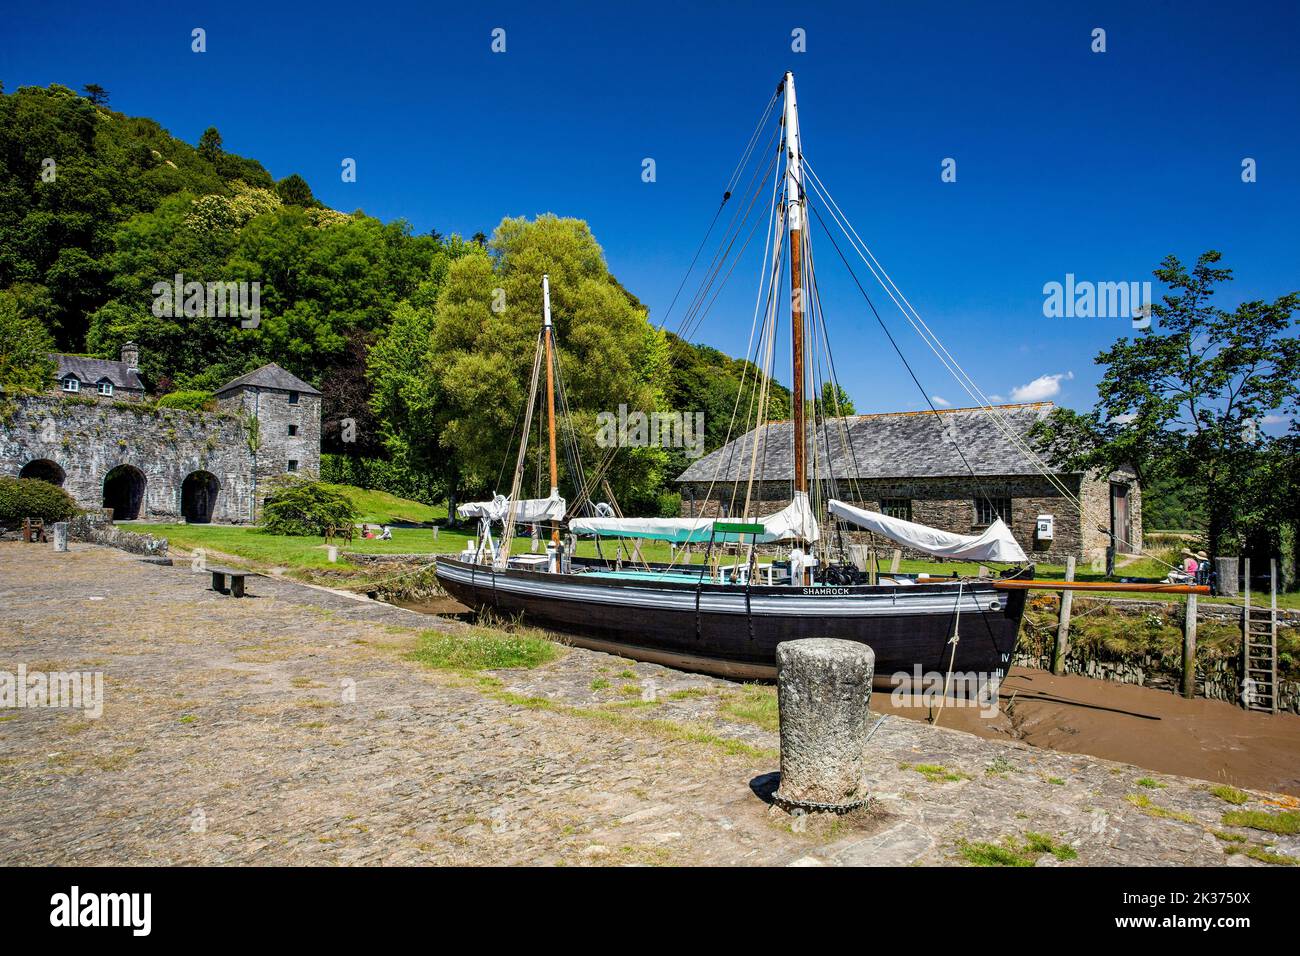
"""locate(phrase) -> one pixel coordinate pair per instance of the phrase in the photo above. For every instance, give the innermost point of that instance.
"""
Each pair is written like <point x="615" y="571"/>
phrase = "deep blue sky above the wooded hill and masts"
<point x="1068" y="162"/>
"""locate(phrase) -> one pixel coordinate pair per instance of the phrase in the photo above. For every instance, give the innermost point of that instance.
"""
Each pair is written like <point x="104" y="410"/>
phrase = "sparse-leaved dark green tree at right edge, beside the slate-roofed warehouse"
<point x="1185" y="399"/>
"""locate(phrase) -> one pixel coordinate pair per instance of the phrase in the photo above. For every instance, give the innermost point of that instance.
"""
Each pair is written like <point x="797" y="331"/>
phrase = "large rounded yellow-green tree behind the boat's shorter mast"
<point x="462" y="395"/>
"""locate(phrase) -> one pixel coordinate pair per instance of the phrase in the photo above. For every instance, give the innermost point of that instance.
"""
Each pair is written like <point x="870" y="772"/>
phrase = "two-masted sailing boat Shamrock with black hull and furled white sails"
<point x="729" y="620"/>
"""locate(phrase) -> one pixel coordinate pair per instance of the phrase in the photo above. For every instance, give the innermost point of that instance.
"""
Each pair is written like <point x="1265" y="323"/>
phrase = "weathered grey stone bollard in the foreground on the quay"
<point x="824" y="693"/>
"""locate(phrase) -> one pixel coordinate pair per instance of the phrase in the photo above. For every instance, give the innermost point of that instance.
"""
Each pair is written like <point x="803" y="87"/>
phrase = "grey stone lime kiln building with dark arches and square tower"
<point x="98" y="438"/>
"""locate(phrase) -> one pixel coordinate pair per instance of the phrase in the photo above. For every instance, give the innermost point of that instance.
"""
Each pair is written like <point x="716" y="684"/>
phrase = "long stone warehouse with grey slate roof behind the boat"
<point x="911" y="465"/>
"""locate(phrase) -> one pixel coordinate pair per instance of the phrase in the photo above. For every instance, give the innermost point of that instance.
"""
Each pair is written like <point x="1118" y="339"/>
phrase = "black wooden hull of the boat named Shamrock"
<point x="734" y="631"/>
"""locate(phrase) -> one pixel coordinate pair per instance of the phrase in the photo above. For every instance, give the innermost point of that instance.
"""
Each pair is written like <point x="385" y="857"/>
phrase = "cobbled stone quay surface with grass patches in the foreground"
<point x="291" y="728"/>
